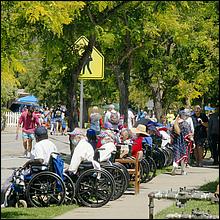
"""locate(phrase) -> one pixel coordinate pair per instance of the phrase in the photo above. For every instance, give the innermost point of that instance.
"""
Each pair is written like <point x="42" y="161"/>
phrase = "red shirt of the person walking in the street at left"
<point x="29" y="123"/>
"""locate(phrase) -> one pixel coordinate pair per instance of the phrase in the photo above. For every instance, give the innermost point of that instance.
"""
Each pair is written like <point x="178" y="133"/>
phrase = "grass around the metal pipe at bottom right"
<point x="204" y="206"/>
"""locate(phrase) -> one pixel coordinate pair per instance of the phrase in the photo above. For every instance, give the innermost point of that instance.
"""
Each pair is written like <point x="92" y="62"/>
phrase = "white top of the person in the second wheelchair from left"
<point x="83" y="152"/>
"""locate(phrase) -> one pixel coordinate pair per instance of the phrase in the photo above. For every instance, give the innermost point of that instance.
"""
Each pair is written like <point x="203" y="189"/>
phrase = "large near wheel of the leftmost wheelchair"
<point x="46" y="189"/>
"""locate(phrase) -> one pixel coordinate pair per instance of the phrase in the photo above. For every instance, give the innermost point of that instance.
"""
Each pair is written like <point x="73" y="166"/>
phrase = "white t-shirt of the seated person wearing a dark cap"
<point x="43" y="149"/>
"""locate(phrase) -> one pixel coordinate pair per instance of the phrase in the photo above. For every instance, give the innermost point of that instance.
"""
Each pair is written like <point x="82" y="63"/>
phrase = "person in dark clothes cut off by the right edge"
<point x="213" y="133"/>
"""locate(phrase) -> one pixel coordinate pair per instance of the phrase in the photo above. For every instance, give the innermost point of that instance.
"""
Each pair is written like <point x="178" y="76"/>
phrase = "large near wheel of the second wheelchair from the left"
<point x="94" y="188"/>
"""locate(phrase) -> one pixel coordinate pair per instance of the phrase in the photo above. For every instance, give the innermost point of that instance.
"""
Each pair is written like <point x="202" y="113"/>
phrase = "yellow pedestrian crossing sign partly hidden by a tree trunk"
<point x="94" y="66"/>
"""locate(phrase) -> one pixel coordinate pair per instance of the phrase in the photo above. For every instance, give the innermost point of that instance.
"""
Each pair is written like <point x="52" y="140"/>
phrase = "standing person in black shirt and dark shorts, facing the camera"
<point x="200" y="122"/>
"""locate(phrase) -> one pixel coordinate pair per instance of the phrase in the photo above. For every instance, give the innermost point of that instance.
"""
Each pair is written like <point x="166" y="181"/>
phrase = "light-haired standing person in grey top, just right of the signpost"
<point x="96" y="120"/>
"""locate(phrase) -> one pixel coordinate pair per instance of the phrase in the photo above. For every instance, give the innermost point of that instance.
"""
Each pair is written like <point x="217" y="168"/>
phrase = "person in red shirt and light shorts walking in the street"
<point x="29" y="121"/>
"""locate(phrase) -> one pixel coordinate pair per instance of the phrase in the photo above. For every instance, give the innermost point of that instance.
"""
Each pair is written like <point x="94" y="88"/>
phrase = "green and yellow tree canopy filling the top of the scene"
<point x="162" y="50"/>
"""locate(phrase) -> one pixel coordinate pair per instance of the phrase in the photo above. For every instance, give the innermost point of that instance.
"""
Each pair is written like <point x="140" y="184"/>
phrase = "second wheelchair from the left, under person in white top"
<point x="95" y="188"/>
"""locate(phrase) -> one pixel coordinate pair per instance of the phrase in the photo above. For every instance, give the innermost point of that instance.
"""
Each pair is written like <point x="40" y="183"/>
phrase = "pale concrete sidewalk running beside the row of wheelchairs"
<point x="136" y="206"/>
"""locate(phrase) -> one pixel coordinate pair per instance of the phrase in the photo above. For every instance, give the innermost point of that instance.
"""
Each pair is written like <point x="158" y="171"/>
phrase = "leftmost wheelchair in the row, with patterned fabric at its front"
<point x="38" y="186"/>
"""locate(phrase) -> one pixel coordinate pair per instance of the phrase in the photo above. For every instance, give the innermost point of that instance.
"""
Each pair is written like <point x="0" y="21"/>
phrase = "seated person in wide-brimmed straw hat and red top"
<point x="140" y="132"/>
